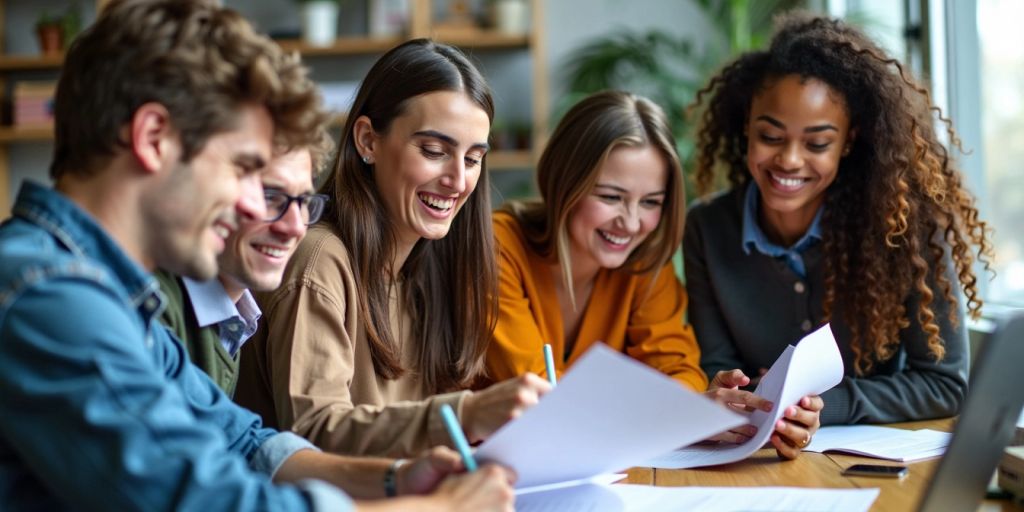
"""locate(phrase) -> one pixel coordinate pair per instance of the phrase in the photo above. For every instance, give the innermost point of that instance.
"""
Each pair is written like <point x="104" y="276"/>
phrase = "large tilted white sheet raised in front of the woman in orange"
<point x="609" y="413"/>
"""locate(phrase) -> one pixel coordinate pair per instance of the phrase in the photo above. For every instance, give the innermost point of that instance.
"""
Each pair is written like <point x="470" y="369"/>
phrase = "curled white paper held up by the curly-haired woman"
<point x="814" y="367"/>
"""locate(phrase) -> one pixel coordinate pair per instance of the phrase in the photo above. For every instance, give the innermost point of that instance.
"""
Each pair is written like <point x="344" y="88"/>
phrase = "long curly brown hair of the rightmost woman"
<point x="898" y="201"/>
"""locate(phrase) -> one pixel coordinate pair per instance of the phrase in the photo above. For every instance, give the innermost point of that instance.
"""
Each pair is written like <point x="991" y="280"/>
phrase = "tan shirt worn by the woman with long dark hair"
<point x="309" y="367"/>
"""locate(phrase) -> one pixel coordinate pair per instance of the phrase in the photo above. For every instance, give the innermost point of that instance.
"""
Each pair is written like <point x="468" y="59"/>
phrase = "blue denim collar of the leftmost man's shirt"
<point x="81" y="235"/>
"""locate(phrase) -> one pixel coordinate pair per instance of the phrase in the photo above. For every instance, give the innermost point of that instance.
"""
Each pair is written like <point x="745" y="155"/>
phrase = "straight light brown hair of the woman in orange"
<point x="570" y="167"/>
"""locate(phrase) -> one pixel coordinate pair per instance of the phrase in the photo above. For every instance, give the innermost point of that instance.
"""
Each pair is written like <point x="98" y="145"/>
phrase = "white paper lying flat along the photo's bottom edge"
<point x="625" y="498"/>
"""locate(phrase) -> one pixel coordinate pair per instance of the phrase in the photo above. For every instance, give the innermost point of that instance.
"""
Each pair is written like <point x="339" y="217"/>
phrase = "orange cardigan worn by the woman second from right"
<point x="646" y="324"/>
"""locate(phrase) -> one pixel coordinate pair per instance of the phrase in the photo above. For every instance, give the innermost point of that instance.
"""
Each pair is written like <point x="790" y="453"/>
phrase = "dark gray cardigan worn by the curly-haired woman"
<point x="747" y="309"/>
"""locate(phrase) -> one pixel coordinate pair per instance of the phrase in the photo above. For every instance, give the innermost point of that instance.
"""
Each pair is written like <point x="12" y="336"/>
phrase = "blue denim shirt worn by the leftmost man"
<point x="101" y="408"/>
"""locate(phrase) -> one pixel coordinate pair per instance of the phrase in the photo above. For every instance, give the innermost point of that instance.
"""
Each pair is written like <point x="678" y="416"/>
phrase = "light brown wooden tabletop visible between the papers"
<point x="817" y="471"/>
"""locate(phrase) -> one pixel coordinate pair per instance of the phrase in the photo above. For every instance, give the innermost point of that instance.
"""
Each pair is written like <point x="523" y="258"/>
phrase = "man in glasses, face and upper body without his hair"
<point x="215" y="319"/>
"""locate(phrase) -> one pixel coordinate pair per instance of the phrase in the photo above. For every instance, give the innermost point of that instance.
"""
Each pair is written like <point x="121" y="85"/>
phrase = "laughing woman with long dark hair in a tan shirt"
<point x="388" y="307"/>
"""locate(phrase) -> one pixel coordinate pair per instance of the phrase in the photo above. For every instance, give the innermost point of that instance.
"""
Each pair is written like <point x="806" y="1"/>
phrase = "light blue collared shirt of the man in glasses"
<point x="236" y="322"/>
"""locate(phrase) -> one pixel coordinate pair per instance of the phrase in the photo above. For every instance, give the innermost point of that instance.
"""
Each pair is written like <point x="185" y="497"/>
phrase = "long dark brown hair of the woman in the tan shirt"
<point x="450" y="285"/>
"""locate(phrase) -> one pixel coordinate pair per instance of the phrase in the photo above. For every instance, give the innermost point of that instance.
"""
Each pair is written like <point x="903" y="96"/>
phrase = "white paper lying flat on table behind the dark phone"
<point x="881" y="443"/>
